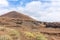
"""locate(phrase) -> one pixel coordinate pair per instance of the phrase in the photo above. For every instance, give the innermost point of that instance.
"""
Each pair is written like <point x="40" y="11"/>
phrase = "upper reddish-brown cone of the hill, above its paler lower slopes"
<point x="14" y="14"/>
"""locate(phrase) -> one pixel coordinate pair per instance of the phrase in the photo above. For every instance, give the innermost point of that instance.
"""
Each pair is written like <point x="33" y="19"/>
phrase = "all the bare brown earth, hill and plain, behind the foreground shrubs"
<point x="22" y="22"/>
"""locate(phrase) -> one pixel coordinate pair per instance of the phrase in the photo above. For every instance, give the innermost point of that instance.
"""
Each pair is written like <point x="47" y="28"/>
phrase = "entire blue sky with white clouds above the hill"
<point x="41" y="10"/>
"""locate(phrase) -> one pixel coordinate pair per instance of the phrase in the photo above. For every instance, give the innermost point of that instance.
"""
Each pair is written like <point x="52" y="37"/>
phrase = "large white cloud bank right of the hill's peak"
<point x="43" y="12"/>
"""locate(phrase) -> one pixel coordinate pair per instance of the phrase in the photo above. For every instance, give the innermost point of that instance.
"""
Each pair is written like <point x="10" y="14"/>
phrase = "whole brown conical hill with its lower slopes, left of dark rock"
<point x="16" y="19"/>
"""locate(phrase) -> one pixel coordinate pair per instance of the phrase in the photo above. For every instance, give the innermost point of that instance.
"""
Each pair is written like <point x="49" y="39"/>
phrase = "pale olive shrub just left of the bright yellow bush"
<point x="13" y="33"/>
